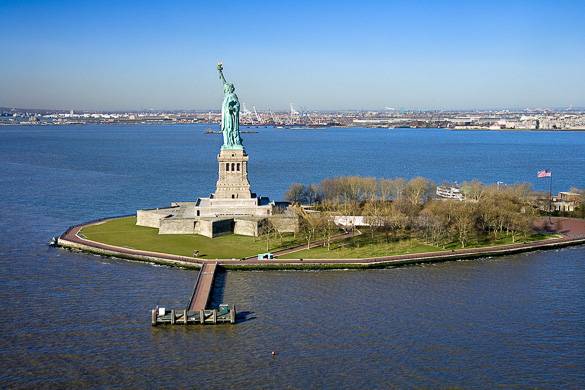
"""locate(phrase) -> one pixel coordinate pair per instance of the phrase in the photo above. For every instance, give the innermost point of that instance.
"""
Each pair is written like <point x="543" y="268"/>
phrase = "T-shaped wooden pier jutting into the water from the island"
<point x="196" y="312"/>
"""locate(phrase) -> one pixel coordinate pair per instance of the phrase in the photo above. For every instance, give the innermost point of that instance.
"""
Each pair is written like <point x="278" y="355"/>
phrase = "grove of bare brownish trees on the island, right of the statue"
<point x="395" y="205"/>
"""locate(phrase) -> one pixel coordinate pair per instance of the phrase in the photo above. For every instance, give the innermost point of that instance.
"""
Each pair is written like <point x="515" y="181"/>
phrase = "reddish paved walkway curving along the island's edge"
<point x="573" y="231"/>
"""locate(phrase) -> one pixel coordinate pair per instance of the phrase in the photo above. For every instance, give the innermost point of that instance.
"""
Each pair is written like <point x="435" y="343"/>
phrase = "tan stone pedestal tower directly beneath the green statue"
<point x="233" y="175"/>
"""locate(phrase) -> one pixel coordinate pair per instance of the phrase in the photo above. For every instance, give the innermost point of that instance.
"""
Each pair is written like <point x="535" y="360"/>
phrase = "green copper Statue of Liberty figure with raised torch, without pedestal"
<point x="230" y="115"/>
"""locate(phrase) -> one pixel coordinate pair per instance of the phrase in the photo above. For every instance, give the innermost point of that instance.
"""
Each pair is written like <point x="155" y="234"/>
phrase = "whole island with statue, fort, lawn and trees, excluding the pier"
<point x="338" y="223"/>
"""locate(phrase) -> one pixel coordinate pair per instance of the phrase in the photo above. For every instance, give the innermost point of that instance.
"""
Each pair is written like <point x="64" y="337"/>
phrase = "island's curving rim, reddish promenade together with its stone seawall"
<point x="572" y="236"/>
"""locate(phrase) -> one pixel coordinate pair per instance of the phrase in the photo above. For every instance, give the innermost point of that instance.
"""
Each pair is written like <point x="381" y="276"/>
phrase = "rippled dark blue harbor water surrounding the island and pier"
<point x="79" y="320"/>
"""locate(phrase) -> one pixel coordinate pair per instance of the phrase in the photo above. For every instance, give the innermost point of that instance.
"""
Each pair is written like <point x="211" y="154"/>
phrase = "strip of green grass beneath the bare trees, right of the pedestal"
<point x="364" y="246"/>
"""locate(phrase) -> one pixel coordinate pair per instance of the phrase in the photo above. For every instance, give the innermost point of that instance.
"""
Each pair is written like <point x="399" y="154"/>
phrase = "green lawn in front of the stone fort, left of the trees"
<point x="124" y="232"/>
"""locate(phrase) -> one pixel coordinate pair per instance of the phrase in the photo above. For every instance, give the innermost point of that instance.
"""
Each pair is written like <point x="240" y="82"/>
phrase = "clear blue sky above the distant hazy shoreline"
<point x="319" y="55"/>
